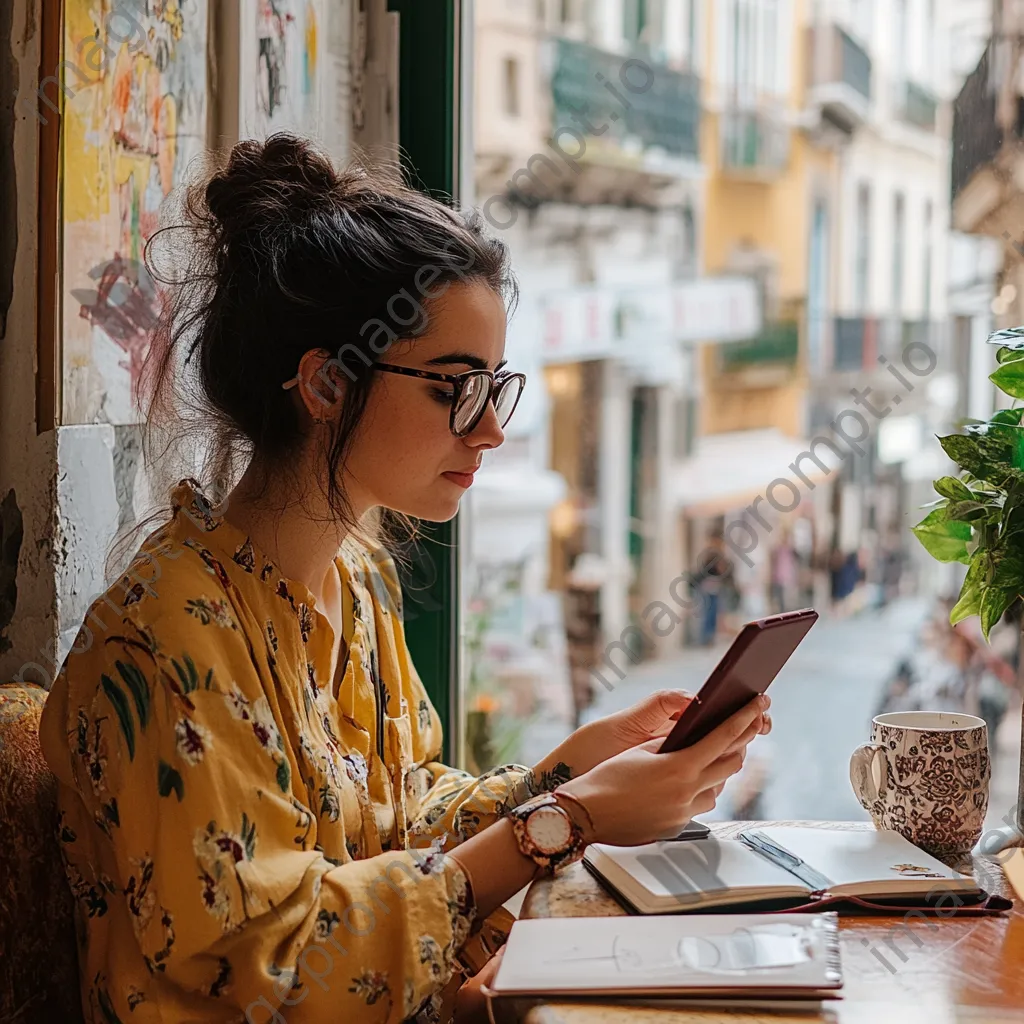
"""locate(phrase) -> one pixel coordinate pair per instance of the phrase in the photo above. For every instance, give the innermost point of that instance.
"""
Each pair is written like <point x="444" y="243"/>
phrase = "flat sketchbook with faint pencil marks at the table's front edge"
<point x="739" y="959"/>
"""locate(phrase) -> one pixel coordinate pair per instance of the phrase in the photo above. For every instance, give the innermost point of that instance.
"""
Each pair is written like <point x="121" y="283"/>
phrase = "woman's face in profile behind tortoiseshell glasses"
<point x="404" y="455"/>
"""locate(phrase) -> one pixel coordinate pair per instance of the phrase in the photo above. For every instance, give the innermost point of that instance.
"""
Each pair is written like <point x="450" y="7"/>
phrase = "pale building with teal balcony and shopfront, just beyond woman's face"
<point x="587" y="142"/>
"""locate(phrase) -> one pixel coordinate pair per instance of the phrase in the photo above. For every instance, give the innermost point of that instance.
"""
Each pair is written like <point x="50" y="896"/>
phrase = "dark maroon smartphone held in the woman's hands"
<point x="747" y="669"/>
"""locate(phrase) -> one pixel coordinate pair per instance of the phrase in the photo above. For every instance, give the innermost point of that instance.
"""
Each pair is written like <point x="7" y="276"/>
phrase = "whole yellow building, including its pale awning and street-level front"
<point x="782" y="94"/>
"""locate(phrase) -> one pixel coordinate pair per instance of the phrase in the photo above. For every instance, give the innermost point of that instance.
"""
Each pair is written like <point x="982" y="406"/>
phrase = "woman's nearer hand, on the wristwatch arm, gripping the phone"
<point x="641" y="796"/>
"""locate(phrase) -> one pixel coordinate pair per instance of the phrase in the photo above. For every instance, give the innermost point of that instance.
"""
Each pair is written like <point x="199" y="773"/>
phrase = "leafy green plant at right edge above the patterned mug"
<point x="979" y="518"/>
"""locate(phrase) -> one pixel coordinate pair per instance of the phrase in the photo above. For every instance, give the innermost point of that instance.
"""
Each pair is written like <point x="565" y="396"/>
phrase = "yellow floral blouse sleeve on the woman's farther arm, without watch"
<point x="448" y="805"/>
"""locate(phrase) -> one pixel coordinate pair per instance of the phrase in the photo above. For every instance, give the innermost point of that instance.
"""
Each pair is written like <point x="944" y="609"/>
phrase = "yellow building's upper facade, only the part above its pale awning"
<point x="771" y="188"/>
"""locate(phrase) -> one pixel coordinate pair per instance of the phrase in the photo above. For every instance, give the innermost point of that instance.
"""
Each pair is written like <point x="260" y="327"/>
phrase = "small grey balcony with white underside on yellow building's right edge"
<point x="839" y="76"/>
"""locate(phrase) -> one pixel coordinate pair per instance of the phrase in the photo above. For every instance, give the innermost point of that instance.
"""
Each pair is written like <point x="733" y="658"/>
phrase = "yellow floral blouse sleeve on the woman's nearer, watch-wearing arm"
<point x="179" y="757"/>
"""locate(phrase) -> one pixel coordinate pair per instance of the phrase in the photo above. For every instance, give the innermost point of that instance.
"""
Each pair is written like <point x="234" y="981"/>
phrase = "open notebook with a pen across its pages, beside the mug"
<point x="784" y="866"/>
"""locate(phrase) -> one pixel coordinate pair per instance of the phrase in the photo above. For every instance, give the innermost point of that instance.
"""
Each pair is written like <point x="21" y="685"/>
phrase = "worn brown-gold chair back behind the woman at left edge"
<point x="38" y="955"/>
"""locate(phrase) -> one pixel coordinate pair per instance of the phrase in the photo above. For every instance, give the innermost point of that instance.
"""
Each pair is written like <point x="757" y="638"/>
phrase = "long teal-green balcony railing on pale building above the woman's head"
<point x="665" y="115"/>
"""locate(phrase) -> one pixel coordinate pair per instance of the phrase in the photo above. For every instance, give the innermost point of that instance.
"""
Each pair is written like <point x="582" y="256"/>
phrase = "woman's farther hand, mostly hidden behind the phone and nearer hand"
<point x="651" y="718"/>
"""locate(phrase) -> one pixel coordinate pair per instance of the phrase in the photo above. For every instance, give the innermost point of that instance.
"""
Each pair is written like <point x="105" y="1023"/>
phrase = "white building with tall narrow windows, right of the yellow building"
<point x="891" y="271"/>
